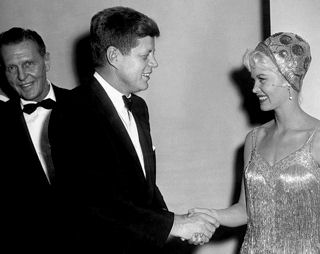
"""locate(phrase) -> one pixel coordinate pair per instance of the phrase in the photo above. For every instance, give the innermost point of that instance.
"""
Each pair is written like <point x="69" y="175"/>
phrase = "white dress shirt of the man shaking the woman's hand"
<point x="125" y="116"/>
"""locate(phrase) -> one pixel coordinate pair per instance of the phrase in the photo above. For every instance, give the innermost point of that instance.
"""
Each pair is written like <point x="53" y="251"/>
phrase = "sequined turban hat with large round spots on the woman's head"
<point x="290" y="53"/>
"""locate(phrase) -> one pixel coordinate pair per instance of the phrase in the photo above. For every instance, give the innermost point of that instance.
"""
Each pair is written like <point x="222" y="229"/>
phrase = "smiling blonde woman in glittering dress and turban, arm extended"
<point x="280" y="196"/>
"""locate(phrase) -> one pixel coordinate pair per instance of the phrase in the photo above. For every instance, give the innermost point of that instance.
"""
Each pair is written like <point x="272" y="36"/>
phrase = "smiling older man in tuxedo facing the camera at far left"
<point x="29" y="201"/>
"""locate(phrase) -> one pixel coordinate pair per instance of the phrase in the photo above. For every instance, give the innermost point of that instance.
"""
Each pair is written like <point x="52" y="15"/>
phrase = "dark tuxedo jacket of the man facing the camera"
<point x="28" y="201"/>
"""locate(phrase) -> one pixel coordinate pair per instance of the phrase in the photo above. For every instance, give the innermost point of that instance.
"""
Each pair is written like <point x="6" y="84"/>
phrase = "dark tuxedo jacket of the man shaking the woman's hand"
<point x="114" y="208"/>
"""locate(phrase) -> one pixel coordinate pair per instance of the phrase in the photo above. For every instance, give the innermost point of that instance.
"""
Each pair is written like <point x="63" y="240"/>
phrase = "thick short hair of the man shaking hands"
<point x="119" y="27"/>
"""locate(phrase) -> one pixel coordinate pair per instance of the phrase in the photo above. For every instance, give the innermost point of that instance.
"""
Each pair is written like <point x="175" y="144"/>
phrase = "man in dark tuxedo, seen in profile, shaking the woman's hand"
<point x="102" y="148"/>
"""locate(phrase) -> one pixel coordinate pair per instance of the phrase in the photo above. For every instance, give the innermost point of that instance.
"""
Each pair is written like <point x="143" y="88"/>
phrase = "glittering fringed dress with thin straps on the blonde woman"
<point x="283" y="204"/>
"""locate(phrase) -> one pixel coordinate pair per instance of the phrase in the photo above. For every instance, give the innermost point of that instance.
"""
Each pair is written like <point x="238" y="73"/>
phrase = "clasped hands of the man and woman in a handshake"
<point x="197" y="227"/>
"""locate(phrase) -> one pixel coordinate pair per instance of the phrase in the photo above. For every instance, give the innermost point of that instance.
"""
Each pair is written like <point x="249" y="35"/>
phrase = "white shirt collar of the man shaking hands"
<point x="114" y="94"/>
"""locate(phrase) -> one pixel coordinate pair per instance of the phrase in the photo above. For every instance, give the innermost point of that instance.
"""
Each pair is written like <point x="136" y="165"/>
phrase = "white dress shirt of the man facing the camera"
<point x="37" y="123"/>
